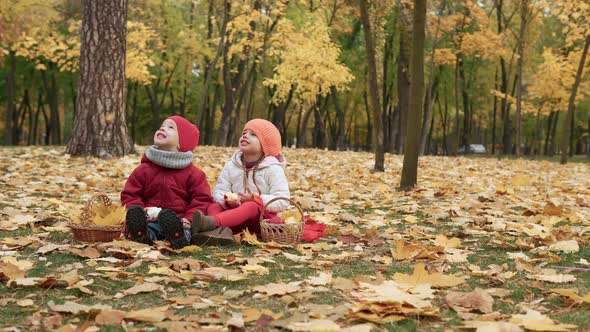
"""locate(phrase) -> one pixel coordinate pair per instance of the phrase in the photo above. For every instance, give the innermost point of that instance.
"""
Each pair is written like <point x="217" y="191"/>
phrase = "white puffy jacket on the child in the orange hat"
<point x="269" y="181"/>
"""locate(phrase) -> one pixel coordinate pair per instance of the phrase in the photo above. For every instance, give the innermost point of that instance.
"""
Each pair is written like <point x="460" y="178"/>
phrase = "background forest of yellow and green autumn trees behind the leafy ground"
<point x="498" y="73"/>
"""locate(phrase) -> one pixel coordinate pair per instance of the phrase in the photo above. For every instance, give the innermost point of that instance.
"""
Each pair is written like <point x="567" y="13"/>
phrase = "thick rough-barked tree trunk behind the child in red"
<point x="100" y="128"/>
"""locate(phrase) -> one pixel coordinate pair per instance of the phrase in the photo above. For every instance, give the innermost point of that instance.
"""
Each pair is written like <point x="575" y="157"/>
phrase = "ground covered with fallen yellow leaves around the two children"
<point x="495" y="245"/>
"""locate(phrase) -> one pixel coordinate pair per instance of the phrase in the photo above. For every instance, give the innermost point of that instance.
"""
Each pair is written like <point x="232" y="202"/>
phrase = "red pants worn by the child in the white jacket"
<point x="247" y="215"/>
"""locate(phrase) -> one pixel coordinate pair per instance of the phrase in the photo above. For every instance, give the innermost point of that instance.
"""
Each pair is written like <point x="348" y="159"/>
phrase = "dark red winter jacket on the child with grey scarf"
<point x="183" y="191"/>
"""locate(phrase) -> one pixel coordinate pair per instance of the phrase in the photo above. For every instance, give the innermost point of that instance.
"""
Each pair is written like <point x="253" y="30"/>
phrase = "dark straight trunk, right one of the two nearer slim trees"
<point x="410" y="167"/>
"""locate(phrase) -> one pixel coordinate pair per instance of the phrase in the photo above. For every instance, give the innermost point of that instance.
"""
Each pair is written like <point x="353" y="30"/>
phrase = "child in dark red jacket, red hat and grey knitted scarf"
<point x="166" y="179"/>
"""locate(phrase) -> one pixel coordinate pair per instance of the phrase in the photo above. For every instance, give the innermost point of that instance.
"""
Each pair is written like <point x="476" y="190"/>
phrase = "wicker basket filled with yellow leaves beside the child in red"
<point x="87" y="231"/>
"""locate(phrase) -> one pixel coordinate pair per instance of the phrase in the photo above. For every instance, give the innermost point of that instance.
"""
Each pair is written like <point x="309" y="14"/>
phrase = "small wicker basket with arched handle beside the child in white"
<point x="281" y="233"/>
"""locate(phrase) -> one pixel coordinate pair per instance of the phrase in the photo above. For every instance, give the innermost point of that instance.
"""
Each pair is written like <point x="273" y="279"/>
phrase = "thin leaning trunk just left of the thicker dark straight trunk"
<point x="373" y="88"/>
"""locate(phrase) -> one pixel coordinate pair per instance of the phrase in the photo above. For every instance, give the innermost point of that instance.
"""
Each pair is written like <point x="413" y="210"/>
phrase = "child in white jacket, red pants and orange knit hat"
<point x="253" y="176"/>
